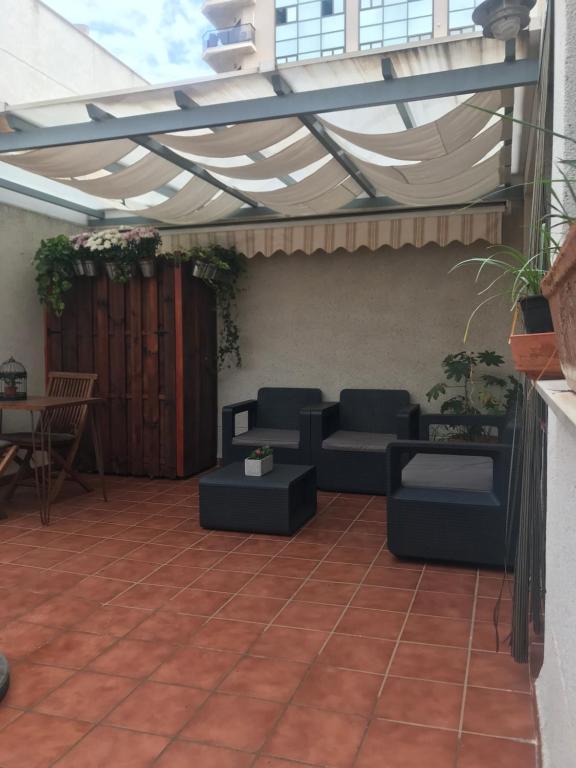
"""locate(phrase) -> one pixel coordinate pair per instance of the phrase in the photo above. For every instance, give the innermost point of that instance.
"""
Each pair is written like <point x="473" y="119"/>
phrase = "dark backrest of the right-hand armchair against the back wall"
<point x="371" y="410"/>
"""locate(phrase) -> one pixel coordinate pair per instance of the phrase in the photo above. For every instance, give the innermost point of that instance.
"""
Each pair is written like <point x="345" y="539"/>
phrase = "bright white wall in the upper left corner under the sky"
<point x="42" y="56"/>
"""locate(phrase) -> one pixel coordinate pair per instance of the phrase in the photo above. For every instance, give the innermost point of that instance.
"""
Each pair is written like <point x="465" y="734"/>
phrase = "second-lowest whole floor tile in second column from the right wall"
<point x="430" y="662"/>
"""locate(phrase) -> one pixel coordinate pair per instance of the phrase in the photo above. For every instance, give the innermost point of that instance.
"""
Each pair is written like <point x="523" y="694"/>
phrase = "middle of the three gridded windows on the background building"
<point x="391" y="22"/>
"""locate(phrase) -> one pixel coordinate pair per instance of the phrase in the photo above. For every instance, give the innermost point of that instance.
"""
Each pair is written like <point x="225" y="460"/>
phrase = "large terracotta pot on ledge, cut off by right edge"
<point x="559" y="287"/>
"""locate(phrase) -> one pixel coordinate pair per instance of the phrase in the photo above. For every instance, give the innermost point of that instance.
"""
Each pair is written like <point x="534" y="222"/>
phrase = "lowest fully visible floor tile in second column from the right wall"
<point x="421" y="702"/>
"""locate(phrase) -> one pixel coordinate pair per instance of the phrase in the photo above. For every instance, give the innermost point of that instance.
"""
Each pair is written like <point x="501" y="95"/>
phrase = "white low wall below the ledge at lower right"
<point x="556" y="686"/>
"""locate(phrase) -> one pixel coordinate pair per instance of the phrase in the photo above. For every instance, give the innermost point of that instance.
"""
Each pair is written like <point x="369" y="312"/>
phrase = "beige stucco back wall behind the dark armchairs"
<point x="367" y="319"/>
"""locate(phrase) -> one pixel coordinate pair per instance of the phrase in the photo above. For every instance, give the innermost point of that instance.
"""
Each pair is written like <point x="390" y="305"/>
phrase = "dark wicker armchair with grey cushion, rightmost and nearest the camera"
<point x="450" y="500"/>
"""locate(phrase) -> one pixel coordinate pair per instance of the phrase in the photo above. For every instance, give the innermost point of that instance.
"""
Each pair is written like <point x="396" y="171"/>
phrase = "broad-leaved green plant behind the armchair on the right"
<point x="476" y="392"/>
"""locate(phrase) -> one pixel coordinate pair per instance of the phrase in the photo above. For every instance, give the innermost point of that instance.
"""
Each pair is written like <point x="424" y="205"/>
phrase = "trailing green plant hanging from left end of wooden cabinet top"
<point x="54" y="264"/>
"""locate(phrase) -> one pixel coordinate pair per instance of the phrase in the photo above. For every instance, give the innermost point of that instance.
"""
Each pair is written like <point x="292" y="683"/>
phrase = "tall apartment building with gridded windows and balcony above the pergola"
<point x="261" y="33"/>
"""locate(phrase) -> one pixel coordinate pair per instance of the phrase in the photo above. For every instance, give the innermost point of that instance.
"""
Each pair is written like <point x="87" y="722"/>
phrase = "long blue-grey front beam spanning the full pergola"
<point x="487" y="77"/>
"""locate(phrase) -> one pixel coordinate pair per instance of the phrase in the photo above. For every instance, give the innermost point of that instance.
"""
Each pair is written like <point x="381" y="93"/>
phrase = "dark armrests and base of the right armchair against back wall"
<point x="353" y="471"/>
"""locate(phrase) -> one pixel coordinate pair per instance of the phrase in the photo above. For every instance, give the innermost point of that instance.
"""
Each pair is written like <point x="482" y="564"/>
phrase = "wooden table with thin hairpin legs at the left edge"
<point x="40" y="407"/>
